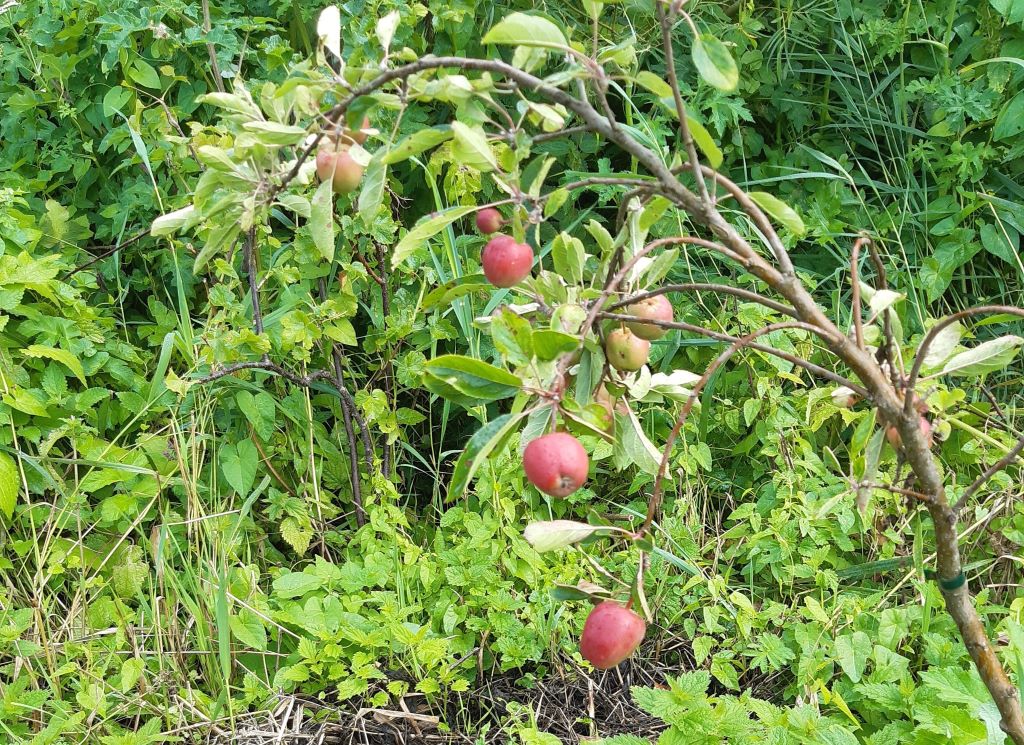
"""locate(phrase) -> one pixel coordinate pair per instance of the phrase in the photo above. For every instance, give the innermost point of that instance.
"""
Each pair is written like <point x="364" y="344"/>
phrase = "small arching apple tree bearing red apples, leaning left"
<point x="576" y="342"/>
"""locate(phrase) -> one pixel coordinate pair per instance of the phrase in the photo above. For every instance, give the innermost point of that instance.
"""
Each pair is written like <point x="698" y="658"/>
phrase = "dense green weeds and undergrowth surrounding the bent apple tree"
<point x="183" y="548"/>
